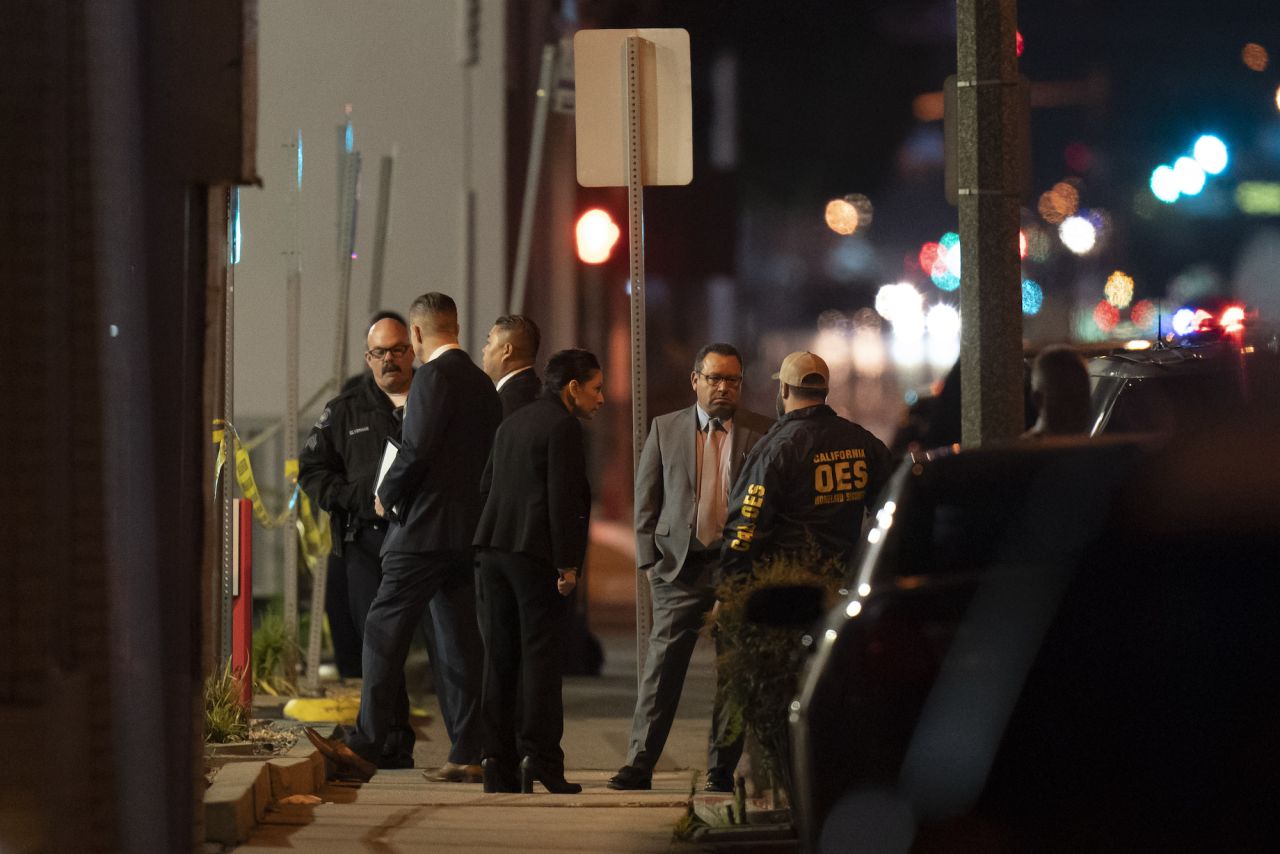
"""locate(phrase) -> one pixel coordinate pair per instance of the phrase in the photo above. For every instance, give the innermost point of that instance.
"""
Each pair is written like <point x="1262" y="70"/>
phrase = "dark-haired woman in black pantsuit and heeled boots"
<point x="532" y="540"/>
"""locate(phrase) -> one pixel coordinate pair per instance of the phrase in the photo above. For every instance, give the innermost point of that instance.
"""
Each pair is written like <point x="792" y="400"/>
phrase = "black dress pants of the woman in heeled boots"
<point x="522" y="618"/>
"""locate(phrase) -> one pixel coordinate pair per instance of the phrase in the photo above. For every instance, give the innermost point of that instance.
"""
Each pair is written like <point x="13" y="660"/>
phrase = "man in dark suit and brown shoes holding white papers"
<point x="432" y="500"/>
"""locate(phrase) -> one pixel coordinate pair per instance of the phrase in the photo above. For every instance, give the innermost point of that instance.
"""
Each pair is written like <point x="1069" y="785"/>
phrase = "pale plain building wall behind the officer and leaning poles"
<point x="400" y="66"/>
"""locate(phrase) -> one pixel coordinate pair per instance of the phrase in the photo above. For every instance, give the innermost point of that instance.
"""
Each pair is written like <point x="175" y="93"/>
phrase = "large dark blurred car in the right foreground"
<point x="1064" y="646"/>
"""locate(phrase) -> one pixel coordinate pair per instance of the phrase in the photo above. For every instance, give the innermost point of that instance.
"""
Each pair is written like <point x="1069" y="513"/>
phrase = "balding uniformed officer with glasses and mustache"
<point x="340" y="460"/>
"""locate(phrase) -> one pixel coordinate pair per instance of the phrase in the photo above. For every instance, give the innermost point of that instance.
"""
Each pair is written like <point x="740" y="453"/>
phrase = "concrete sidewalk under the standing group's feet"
<point x="401" y="811"/>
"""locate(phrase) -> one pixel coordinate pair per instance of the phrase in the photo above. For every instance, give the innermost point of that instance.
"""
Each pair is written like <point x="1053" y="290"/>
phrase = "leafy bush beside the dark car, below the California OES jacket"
<point x="760" y="665"/>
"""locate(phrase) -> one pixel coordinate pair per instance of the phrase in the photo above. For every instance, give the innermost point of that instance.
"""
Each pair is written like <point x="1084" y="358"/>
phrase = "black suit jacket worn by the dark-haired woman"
<point x="538" y="501"/>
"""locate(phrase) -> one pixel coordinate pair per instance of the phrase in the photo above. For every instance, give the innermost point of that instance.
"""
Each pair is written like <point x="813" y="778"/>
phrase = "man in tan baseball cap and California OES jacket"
<point x="811" y="479"/>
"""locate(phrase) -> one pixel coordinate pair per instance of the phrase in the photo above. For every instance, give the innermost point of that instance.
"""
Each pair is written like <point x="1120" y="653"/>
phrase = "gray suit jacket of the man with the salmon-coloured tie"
<point x="666" y="495"/>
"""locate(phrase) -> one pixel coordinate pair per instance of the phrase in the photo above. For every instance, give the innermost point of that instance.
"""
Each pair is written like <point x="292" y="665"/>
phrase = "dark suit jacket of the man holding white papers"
<point x="450" y="421"/>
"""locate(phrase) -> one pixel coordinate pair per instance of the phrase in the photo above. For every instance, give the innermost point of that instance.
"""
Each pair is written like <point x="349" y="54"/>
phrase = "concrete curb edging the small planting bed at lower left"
<point x="237" y="800"/>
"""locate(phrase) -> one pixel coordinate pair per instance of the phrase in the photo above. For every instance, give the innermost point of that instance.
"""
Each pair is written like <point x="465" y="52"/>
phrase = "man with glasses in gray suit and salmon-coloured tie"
<point x="687" y="469"/>
